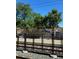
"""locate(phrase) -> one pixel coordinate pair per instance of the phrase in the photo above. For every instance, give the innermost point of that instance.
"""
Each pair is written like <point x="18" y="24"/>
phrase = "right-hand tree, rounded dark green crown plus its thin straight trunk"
<point x="54" y="18"/>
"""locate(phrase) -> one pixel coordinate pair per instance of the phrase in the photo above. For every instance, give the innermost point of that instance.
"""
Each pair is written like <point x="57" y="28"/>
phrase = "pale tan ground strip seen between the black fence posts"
<point x="46" y="41"/>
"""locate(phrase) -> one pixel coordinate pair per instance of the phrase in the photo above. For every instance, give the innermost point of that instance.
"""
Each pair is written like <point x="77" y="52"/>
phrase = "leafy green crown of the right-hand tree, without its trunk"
<point x="54" y="18"/>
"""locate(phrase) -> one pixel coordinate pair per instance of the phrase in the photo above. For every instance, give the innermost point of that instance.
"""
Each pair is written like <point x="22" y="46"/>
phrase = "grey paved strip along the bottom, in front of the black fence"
<point x="34" y="56"/>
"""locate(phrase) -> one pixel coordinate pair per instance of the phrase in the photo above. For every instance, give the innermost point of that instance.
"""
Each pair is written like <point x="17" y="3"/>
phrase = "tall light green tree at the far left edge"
<point x="23" y="12"/>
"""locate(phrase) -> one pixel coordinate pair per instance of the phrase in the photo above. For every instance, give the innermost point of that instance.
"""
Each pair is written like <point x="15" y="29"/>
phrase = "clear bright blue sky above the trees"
<point x="44" y="6"/>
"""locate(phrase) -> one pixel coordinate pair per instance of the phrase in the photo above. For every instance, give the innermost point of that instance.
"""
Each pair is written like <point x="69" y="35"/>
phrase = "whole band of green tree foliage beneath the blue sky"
<point x="28" y="19"/>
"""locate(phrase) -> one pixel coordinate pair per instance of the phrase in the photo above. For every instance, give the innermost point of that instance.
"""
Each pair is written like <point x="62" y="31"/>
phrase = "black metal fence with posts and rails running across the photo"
<point x="41" y="48"/>
